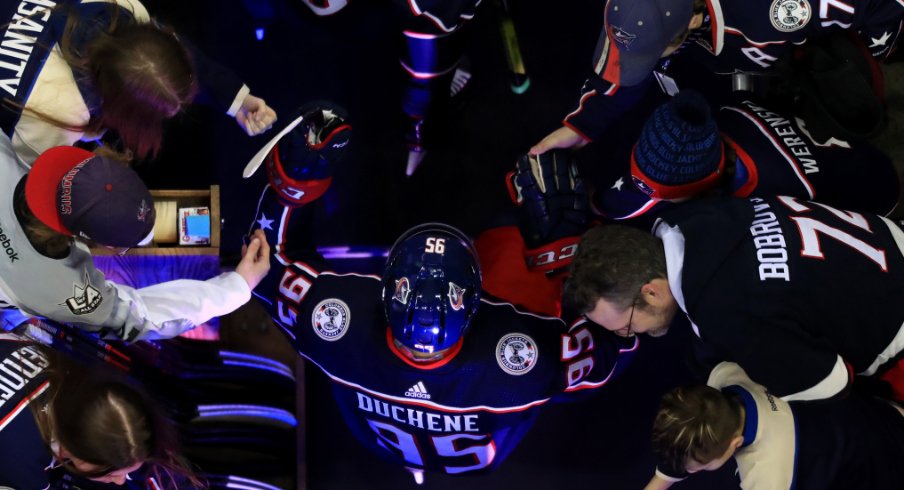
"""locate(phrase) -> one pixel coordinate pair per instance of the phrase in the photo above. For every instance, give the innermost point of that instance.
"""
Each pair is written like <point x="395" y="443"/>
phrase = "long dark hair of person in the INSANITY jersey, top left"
<point x="140" y="73"/>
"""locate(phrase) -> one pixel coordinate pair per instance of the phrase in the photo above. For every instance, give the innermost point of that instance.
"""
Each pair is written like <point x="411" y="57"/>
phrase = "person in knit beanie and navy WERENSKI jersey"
<point x="746" y="150"/>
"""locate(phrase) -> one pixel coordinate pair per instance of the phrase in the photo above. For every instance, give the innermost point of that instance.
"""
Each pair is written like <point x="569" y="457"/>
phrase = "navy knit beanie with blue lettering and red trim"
<point x="679" y="152"/>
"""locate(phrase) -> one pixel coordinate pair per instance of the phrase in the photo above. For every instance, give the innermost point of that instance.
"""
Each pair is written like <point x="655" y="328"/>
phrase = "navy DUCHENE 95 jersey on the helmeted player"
<point x="463" y="413"/>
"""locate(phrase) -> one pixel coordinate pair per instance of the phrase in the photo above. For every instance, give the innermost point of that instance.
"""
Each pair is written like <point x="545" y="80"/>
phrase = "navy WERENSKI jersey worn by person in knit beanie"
<point x="775" y="156"/>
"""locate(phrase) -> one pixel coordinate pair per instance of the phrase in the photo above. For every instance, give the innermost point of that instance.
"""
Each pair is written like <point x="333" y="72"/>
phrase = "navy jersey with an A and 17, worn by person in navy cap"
<point x="748" y="36"/>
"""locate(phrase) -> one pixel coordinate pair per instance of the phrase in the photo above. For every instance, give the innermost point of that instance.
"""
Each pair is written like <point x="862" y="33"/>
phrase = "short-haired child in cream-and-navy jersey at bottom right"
<point x="853" y="443"/>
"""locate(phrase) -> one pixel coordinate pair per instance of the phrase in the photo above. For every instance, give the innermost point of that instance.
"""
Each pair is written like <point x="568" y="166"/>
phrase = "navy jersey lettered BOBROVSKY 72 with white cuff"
<point x="799" y="294"/>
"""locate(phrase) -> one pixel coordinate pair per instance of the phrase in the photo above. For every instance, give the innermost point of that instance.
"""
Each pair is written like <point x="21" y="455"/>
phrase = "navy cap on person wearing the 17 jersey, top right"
<point x="639" y="32"/>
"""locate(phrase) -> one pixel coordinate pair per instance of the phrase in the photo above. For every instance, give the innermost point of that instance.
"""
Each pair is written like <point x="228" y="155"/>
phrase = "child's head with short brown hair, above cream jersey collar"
<point x="697" y="428"/>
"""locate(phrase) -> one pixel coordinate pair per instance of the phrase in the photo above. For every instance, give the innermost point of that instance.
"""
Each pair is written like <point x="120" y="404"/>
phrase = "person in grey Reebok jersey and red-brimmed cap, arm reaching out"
<point x="72" y="195"/>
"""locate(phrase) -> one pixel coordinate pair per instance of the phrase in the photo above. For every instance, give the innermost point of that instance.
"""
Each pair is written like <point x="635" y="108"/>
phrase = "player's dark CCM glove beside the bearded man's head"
<point x="553" y="208"/>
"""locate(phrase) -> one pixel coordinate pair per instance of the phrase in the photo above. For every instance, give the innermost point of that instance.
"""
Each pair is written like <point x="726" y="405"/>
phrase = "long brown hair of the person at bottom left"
<point x="108" y="421"/>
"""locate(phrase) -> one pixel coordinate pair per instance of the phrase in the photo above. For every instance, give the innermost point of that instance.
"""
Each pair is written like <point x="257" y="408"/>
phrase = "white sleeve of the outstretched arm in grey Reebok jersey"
<point x="167" y="309"/>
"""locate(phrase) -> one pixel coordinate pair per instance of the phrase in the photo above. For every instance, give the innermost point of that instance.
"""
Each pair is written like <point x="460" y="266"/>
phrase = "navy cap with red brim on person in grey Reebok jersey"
<point x="78" y="193"/>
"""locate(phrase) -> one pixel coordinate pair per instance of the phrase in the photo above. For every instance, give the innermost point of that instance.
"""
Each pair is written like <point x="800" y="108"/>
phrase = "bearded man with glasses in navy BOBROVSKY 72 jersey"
<point x="800" y="294"/>
